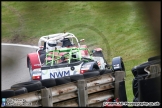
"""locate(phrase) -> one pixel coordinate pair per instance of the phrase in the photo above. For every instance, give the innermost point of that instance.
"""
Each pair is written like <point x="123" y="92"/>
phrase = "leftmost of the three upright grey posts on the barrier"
<point x="46" y="95"/>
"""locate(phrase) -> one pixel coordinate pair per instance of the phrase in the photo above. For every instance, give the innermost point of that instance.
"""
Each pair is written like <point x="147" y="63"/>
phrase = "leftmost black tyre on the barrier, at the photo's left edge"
<point x="7" y="93"/>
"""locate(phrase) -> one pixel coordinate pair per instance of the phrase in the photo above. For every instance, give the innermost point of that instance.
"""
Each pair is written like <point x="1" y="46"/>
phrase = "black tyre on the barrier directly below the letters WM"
<point x="62" y="80"/>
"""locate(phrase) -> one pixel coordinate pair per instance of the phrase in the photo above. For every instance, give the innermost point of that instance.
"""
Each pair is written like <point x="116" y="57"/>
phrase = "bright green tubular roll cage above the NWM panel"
<point x="67" y="55"/>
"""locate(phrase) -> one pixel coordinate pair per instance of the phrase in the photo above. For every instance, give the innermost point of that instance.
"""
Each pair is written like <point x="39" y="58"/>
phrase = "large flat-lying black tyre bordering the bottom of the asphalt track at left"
<point x="30" y="86"/>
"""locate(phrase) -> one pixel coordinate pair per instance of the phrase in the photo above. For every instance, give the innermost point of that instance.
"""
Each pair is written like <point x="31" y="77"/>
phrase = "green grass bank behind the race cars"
<point x="119" y="28"/>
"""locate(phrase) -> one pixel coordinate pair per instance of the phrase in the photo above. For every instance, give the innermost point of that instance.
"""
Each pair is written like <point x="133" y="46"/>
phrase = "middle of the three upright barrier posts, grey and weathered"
<point x="82" y="93"/>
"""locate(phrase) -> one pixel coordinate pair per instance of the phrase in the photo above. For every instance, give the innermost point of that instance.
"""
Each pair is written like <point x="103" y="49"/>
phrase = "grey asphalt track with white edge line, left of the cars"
<point x="14" y="64"/>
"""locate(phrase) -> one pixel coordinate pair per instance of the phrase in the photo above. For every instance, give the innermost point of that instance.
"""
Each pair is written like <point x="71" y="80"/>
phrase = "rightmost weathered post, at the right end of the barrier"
<point x="119" y="76"/>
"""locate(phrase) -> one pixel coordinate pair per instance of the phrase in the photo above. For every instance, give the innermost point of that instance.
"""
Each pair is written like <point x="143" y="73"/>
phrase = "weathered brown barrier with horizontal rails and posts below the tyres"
<point x="85" y="92"/>
